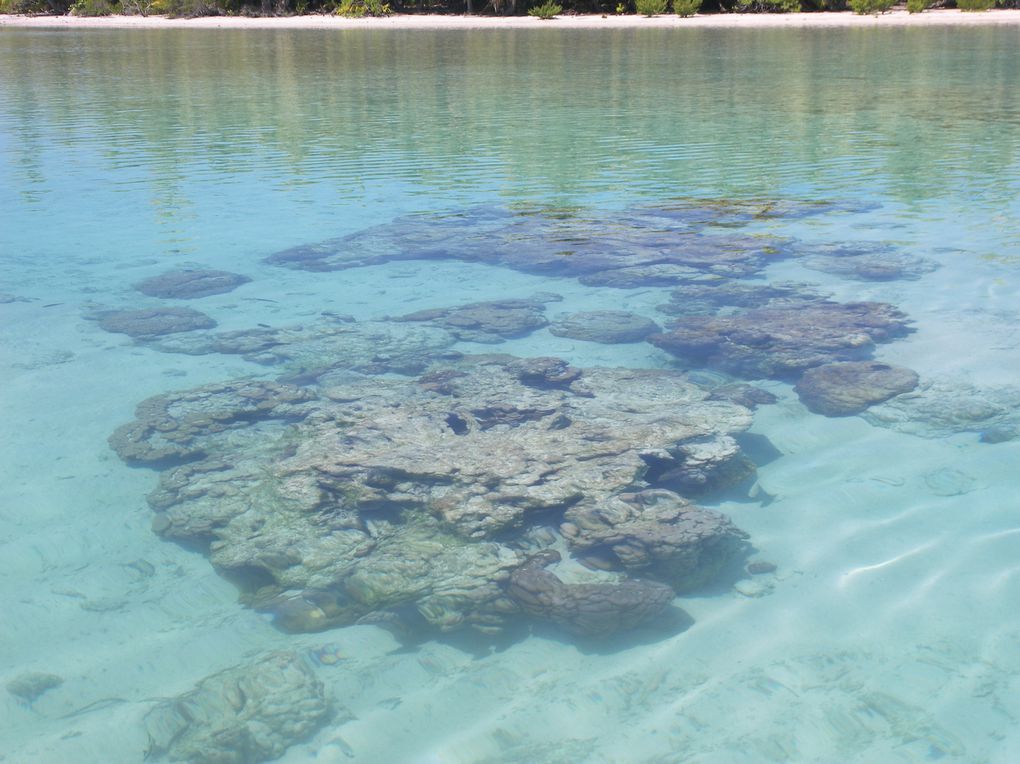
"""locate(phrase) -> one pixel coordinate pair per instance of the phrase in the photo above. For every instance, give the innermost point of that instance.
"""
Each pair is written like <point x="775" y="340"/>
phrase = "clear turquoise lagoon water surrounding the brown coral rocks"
<point x="888" y="632"/>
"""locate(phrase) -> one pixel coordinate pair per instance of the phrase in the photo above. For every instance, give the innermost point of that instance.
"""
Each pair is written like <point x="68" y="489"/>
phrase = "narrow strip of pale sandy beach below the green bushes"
<point x="424" y="22"/>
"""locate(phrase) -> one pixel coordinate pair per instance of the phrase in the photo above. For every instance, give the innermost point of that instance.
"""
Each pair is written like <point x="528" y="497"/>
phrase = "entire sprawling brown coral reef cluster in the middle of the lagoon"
<point x="385" y="478"/>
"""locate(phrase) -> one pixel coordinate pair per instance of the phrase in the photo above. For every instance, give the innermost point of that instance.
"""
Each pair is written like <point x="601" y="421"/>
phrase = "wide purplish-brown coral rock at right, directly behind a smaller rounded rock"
<point x="781" y="342"/>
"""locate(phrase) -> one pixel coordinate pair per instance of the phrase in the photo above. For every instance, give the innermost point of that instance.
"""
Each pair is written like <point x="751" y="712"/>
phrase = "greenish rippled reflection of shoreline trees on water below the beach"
<point x="916" y="113"/>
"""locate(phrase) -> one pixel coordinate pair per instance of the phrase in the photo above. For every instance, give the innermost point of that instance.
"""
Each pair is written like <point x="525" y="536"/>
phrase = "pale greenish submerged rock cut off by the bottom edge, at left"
<point x="243" y="716"/>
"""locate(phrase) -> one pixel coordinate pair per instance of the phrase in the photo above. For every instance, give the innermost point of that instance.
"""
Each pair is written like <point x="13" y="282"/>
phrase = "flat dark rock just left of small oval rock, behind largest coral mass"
<point x="490" y="322"/>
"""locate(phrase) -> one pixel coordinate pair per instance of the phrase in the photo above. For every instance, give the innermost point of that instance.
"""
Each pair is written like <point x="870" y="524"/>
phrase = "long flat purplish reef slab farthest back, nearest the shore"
<point x="624" y="250"/>
